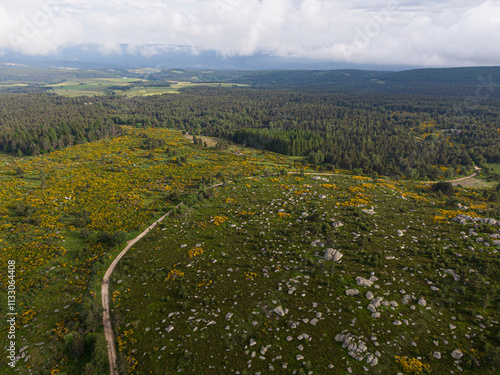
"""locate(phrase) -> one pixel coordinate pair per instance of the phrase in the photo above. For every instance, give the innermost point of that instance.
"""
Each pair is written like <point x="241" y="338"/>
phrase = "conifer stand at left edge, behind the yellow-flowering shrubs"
<point x="31" y="124"/>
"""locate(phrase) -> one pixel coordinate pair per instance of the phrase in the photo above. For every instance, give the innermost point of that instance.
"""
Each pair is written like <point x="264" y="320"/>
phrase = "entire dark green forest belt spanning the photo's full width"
<point x="386" y="134"/>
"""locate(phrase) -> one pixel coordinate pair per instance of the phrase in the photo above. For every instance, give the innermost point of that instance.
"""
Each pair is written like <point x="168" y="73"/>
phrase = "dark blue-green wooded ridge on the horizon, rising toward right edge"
<point x="445" y="82"/>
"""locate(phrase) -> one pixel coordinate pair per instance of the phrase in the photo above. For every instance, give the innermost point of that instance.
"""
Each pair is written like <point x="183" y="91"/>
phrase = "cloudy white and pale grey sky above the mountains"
<point x="434" y="33"/>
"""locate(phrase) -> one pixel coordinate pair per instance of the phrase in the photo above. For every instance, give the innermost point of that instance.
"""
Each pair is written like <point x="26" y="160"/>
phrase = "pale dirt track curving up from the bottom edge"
<point x="108" y="329"/>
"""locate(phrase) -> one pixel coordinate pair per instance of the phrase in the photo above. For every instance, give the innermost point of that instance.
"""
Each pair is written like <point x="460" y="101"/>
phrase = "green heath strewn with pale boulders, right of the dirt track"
<point x="304" y="274"/>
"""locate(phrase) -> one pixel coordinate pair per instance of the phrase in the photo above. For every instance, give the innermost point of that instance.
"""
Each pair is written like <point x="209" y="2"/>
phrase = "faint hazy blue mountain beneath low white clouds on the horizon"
<point x="173" y="56"/>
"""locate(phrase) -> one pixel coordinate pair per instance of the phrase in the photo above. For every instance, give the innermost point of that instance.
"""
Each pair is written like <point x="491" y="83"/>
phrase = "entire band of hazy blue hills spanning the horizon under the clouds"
<point x="480" y="82"/>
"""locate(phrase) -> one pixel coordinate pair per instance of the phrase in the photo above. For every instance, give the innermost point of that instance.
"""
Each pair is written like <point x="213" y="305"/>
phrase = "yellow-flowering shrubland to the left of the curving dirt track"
<point x="64" y="215"/>
